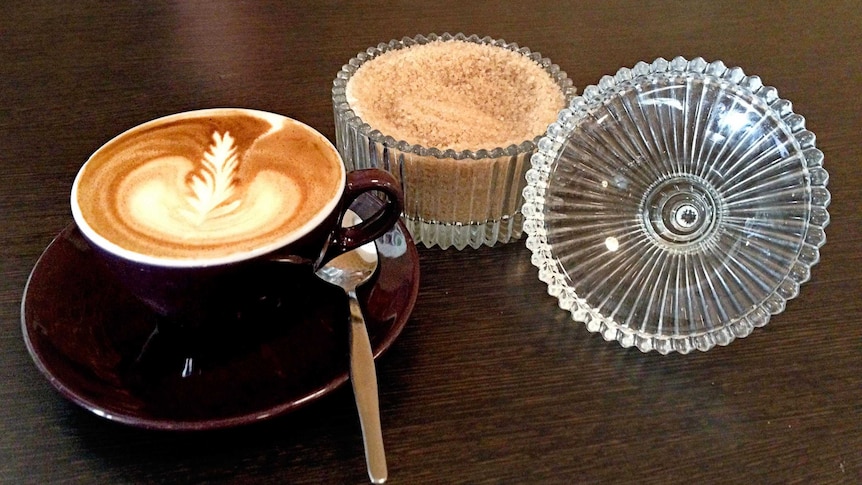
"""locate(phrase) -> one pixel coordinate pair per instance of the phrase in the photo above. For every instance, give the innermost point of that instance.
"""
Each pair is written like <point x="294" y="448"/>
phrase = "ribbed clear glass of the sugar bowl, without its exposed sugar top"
<point x="452" y="198"/>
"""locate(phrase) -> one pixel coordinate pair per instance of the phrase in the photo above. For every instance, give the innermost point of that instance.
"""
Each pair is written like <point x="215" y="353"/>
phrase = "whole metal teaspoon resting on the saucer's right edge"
<point x="349" y="271"/>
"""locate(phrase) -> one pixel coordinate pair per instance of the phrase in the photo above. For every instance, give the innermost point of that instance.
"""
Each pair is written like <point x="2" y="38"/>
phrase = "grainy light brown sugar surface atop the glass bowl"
<point x="455" y="95"/>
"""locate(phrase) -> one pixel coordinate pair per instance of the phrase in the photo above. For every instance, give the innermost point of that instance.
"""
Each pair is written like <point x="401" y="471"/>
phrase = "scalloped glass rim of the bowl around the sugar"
<point x="345" y="113"/>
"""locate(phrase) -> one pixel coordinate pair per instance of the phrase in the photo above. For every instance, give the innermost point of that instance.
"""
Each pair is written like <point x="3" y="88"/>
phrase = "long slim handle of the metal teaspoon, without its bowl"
<point x="364" y="379"/>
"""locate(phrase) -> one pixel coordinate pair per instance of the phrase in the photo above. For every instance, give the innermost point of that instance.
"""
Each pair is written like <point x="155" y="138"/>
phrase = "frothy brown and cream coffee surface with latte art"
<point x="208" y="184"/>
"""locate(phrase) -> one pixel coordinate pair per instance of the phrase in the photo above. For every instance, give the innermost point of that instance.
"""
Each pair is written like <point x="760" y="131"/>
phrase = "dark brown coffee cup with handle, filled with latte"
<point x="199" y="213"/>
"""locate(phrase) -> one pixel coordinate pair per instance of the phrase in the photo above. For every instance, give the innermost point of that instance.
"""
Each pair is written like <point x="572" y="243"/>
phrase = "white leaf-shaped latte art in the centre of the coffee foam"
<point x="213" y="182"/>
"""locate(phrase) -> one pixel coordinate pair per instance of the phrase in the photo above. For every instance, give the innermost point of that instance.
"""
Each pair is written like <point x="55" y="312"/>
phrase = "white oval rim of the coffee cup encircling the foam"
<point x="234" y="257"/>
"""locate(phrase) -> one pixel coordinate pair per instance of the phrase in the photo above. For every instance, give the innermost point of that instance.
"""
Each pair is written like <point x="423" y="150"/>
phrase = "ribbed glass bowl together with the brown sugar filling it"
<point x="457" y="121"/>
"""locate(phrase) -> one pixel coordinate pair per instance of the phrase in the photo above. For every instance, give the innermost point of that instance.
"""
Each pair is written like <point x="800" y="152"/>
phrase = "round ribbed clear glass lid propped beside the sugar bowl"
<point x="676" y="205"/>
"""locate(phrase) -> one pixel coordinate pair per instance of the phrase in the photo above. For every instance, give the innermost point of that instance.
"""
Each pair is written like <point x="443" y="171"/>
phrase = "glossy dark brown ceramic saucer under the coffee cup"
<point x="96" y="343"/>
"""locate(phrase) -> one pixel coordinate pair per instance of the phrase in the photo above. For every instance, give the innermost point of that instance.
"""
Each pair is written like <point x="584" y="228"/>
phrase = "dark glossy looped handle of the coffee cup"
<point x="344" y="239"/>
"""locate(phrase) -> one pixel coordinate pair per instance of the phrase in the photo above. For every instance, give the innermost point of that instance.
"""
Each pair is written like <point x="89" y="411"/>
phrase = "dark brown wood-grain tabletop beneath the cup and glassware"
<point x="490" y="382"/>
